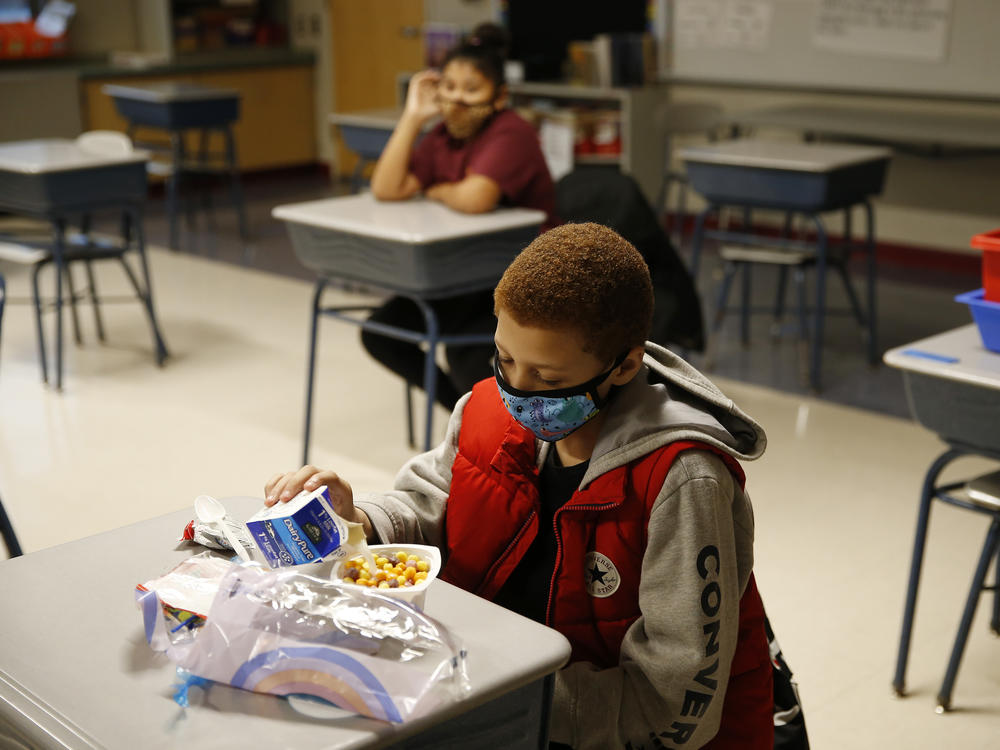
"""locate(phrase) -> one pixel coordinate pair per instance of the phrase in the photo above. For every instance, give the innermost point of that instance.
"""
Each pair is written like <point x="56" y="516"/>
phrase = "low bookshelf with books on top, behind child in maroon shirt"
<point x="642" y="143"/>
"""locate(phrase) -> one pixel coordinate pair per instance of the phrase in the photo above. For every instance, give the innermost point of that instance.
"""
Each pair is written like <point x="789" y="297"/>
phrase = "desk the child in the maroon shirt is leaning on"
<point x="418" y="249"/>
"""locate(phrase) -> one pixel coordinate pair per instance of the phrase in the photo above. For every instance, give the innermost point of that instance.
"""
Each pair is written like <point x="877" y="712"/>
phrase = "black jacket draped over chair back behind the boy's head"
<point x="608" y="197"/>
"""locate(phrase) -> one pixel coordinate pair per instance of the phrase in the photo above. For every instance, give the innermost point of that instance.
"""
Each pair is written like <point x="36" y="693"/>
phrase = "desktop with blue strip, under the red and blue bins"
<point x="957" y="354"/>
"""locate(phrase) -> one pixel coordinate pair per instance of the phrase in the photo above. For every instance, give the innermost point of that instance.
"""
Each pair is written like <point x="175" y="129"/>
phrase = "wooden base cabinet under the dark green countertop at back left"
<point x="276" y="126"/>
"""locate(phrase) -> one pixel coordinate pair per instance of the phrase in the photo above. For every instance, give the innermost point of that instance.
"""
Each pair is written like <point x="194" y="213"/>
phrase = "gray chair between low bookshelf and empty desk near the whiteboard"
<point x="675" y="119"/>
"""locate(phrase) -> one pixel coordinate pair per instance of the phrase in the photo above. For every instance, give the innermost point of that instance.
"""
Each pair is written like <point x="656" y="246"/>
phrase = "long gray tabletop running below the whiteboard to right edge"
<point x="893" y="126"/>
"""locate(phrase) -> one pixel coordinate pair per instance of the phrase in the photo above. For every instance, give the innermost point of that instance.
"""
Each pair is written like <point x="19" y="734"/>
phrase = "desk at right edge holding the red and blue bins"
<point x="953" y="386"/>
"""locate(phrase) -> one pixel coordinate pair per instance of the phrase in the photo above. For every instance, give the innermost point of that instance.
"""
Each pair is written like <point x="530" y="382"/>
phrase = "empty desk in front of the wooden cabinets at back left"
<point x="180" y="107"/>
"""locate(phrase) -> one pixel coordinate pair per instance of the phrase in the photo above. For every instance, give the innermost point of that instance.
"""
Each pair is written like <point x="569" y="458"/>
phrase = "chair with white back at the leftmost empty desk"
<point x="28" y="245"/>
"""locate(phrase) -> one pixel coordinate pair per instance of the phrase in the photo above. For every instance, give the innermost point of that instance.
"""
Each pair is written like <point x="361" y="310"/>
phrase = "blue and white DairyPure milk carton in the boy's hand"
<point x="304" y="530"/>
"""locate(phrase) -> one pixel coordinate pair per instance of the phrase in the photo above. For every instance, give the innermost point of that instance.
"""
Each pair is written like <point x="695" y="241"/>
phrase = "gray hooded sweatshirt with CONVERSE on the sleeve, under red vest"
<point x="700" y="505"/>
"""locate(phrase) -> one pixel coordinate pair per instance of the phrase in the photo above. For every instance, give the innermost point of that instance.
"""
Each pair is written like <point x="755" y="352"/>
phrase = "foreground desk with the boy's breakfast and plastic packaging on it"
<point x="76" y="672"/>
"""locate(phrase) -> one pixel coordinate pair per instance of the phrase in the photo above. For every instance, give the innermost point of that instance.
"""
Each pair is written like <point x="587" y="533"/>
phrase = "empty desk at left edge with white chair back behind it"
<point x="55" y="179"/>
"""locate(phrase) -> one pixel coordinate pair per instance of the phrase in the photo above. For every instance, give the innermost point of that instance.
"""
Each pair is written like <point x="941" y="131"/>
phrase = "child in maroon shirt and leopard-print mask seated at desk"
<point x="481" y="155"/>
